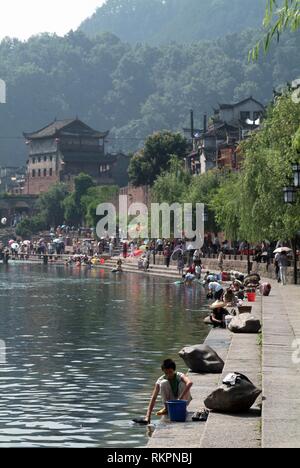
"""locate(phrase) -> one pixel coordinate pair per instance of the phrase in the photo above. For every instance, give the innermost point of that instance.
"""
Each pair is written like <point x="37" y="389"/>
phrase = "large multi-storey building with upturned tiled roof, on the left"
<point x="62" y="150"/>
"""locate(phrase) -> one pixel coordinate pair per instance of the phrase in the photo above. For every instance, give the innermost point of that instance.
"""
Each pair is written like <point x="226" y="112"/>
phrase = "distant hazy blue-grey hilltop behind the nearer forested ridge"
<point x="163" y="21"/>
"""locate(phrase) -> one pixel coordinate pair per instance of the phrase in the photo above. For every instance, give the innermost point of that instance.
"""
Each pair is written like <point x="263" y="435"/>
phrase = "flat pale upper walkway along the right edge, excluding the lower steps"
<point x="281" y="376"/>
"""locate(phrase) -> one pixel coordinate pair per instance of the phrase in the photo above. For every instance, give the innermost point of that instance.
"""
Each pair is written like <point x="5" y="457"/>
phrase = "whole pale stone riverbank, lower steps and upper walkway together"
<point x="272" y="362"/>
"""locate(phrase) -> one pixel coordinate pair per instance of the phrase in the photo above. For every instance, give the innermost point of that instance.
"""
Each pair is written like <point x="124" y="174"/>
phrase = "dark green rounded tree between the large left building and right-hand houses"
<point x="146" y="165"/>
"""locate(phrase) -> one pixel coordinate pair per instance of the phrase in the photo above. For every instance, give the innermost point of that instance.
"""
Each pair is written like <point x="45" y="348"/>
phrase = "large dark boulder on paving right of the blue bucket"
<point x="237" y="397"/>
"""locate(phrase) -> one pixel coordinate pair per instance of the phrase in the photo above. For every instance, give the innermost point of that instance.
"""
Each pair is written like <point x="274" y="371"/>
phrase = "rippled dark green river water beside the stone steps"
<point x="83" y="351"/>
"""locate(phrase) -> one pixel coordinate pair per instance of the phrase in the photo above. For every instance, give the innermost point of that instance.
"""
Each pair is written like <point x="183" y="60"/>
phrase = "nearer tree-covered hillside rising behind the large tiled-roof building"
<point x="131" y="90"/>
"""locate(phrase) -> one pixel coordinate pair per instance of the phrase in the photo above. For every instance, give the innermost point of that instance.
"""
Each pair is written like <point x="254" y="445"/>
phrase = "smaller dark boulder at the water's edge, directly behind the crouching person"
<point x="201" y="359"/>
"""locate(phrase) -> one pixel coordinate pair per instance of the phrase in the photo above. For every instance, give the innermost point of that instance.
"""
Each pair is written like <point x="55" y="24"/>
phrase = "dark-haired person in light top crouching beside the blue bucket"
<point x="171" y="386"/>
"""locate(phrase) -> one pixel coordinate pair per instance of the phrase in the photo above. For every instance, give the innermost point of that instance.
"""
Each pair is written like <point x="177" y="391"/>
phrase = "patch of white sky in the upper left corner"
<point x="24" y="18"/>
